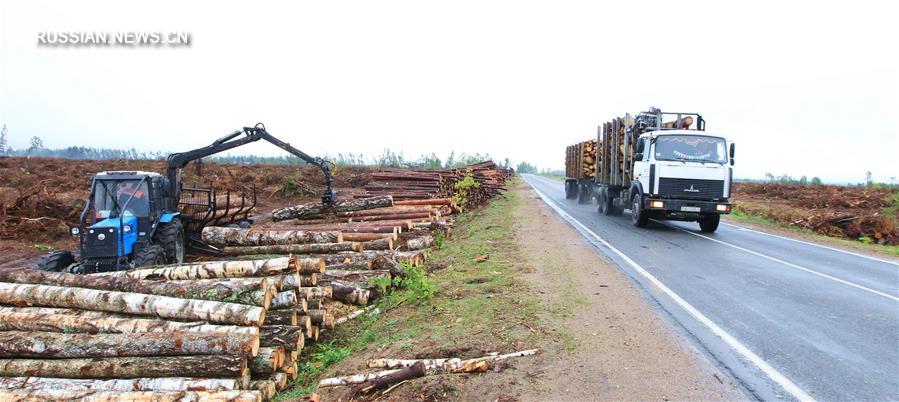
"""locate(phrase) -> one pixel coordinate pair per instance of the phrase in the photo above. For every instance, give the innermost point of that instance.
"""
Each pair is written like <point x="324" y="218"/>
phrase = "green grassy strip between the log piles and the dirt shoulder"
<point x="470" y="297"/>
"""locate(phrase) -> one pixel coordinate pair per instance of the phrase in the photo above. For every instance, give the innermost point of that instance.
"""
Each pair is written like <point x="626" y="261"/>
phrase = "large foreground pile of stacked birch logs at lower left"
<point x="231" y="329"/>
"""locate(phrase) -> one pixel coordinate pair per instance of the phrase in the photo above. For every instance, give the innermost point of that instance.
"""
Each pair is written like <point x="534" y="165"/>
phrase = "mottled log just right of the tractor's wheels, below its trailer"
<point x="221" y="236"/>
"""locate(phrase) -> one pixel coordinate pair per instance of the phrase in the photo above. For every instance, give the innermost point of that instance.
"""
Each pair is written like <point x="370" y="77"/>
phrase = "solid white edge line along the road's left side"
<point x="738" y="346"/>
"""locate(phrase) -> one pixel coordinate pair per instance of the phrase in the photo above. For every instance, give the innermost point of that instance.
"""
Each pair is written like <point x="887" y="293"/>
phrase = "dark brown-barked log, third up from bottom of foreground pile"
<point x="215" y="366"/>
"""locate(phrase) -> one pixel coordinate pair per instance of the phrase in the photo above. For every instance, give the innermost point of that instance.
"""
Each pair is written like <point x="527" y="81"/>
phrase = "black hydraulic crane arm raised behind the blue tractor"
<point x="178" y="161"/>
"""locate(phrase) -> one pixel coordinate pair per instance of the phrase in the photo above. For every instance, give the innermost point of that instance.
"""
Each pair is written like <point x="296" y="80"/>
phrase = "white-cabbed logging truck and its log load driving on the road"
<point x="672" y="170"/>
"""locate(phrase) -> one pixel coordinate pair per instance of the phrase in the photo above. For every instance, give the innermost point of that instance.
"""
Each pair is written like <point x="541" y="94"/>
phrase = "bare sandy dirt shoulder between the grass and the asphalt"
<point x="622" y="349"/>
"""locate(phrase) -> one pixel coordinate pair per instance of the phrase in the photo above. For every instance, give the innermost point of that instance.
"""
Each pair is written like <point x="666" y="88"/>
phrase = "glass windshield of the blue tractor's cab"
<point x="111" y="197"/>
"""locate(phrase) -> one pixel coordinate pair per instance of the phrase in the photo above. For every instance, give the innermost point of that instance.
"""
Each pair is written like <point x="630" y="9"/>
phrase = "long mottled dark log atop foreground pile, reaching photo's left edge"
<point x="225" y="291"/>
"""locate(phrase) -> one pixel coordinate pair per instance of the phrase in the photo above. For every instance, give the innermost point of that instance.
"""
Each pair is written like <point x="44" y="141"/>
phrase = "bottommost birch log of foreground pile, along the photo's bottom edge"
<point x="134" y="396"/>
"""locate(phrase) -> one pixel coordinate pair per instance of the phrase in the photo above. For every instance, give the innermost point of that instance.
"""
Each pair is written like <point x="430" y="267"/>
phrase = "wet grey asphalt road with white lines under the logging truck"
<point x="784" y="318"/>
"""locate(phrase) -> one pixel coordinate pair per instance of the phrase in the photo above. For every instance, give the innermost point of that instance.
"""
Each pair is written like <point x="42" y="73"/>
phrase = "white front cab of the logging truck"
<point x="682" y="175"/>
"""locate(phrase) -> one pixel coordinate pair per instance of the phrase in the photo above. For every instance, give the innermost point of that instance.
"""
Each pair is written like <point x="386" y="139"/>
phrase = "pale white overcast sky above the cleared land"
<point x="802" y="88"/>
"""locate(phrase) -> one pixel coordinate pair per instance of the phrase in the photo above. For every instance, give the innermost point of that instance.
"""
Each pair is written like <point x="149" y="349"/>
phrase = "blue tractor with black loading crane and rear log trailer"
<point x="135" y="218"/>
